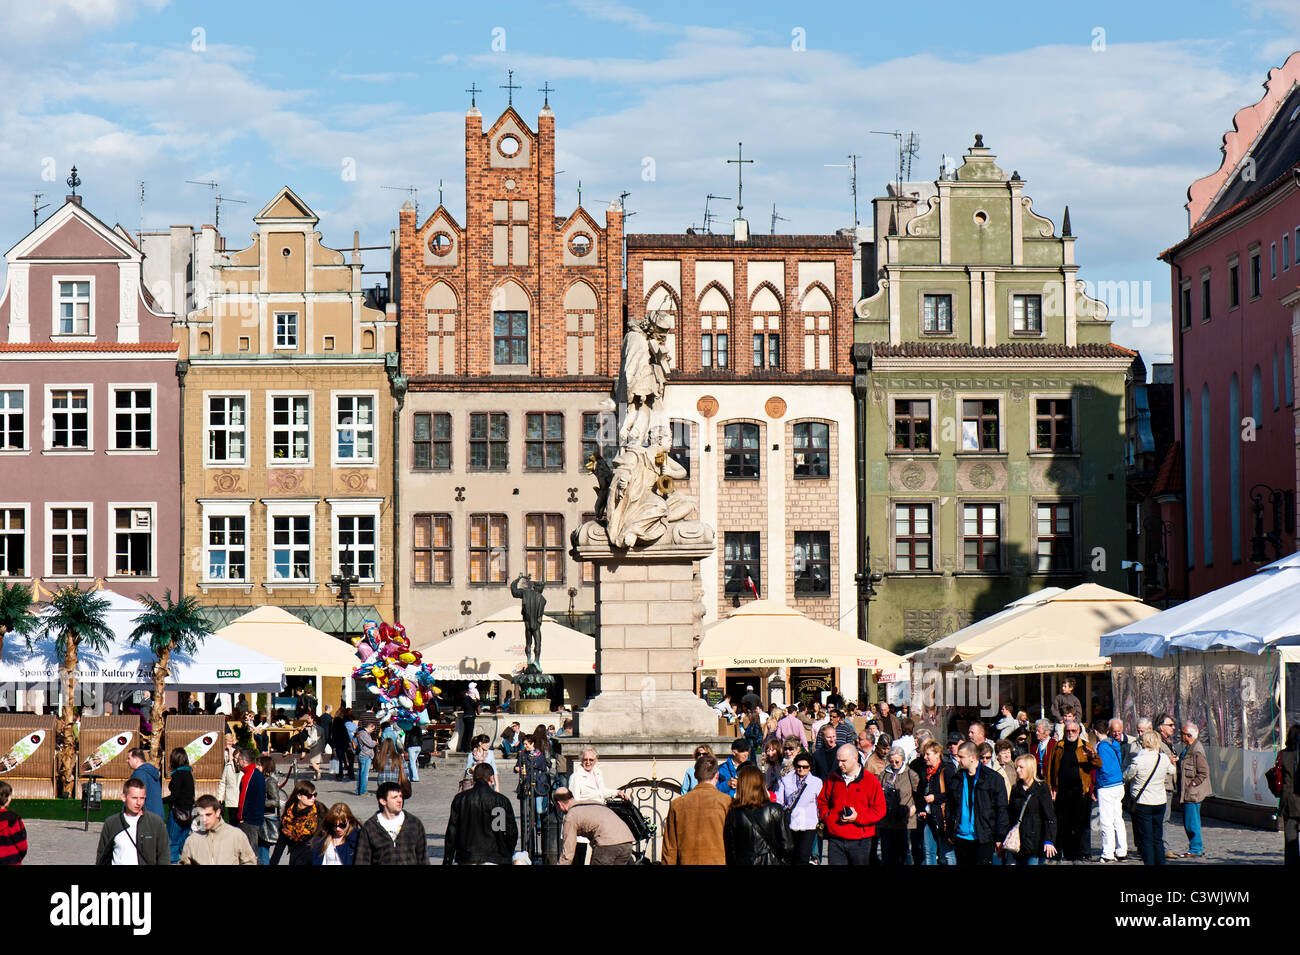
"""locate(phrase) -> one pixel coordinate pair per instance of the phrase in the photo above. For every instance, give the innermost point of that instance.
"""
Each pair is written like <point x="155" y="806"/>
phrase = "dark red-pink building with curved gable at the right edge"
<point x="1234" y="281"/>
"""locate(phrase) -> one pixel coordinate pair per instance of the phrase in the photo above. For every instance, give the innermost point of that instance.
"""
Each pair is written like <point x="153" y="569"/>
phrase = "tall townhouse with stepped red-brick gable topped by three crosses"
<point x="512" y="331"/>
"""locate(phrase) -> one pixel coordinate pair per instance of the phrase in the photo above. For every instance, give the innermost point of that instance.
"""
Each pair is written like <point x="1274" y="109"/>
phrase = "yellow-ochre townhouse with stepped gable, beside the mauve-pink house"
<point x="288" y="429"/>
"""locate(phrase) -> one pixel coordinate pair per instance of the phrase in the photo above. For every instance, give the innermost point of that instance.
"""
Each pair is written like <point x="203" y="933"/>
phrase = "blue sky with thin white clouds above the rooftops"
<point x="1113" y="108"/>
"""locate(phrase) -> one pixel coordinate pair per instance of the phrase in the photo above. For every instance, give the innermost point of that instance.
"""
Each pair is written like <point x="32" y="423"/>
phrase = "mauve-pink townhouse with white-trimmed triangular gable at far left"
<point x="90" y="452"/>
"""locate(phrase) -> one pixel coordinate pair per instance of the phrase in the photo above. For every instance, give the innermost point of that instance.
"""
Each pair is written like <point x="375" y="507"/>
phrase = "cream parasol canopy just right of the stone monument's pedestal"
<point x="766" y="635"/>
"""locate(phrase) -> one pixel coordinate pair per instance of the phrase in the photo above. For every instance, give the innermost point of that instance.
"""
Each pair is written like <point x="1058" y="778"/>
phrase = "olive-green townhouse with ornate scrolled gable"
<point x="990" y="400"/>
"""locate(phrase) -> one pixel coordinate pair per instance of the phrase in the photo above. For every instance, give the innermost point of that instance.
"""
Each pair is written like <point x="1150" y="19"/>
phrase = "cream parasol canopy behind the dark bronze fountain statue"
<point x="493" y="649"/>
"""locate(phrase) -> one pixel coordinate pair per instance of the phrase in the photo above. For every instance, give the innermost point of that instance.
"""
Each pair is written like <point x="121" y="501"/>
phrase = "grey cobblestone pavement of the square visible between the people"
<point x="64" y="844"/>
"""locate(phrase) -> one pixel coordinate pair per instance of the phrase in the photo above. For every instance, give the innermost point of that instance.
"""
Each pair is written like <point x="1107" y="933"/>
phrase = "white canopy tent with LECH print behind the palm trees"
<point x="218" y="667"/>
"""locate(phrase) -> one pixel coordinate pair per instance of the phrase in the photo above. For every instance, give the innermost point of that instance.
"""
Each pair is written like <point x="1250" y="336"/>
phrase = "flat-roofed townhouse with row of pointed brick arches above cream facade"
<point x="762" y="409"/>
